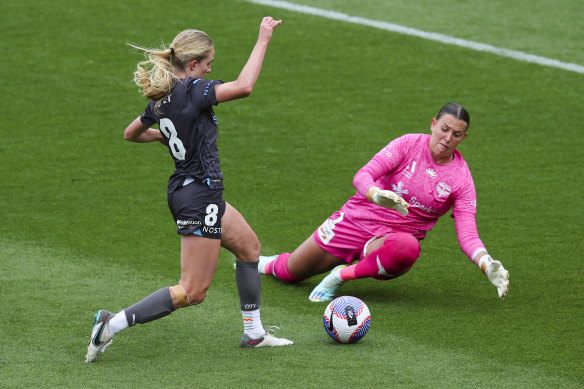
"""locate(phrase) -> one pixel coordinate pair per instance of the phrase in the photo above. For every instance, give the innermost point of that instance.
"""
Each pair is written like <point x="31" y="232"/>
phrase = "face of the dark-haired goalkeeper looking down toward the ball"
<point x="447" y="133"/>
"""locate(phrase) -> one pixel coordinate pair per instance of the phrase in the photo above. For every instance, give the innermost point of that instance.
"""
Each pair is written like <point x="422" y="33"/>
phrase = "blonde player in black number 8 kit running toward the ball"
<point x="181" y="104"/>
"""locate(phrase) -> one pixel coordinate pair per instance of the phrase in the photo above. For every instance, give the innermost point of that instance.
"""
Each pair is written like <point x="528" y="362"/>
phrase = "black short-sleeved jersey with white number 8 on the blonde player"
<point x="188" y="124"/>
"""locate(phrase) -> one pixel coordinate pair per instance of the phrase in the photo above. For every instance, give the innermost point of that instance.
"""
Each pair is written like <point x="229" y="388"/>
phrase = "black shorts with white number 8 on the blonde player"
<point x="197" y="210"/>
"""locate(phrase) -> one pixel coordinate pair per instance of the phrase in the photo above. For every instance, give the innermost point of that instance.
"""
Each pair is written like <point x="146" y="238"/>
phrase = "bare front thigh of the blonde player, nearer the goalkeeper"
<point x="238" y="237"/>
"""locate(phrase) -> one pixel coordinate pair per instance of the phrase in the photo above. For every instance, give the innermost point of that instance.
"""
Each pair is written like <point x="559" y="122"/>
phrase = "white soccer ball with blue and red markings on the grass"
<point x="346" y="319"/>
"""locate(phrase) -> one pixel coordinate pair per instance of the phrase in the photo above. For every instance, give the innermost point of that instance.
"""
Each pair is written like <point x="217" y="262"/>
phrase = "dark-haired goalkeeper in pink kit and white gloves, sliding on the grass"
<point x="401" y="193"/>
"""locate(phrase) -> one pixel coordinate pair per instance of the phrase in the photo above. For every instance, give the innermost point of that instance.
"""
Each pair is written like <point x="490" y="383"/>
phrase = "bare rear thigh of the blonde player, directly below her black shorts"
<point x="198" y="261"/>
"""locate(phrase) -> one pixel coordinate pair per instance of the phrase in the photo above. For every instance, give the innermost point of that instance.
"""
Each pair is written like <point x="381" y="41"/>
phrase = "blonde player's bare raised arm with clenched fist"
<point x="243" y="86"/>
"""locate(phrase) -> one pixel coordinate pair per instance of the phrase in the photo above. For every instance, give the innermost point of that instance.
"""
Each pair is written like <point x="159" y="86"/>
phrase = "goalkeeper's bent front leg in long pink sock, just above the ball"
<point x="394" y="258"/>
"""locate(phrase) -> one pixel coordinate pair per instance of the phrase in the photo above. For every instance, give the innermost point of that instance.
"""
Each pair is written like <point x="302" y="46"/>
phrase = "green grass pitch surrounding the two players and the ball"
<point x="85" y="225"/>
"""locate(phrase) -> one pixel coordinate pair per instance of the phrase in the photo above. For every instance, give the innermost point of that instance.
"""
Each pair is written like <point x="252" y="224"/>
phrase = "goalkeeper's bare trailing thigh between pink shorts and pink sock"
<point x="310" y="259"/>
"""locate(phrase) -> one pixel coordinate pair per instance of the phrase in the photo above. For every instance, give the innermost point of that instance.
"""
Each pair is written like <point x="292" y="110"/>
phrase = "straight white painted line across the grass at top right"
<point x="518" y="55"/>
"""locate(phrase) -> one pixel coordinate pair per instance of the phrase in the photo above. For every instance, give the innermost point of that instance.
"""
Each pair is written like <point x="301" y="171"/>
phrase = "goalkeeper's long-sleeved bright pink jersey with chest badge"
<point x="406" y="167"/>
